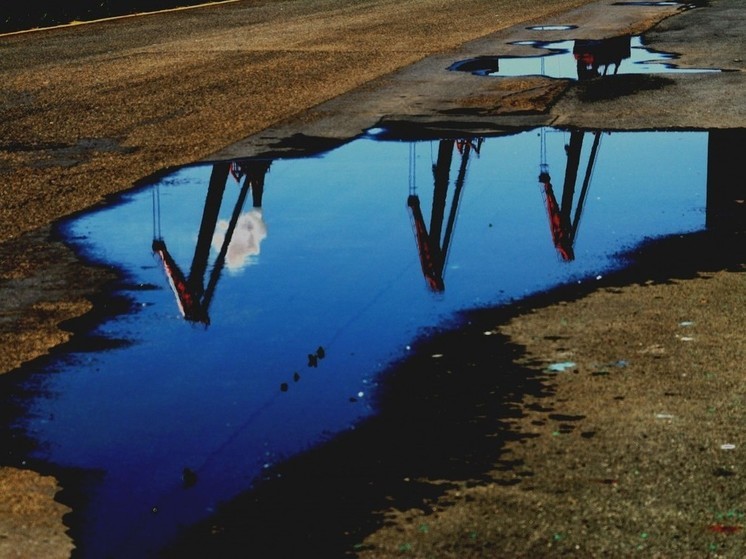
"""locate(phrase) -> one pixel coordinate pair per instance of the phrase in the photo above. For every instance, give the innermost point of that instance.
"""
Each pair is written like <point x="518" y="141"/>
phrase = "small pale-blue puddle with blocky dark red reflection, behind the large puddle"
<point x="578" y="60"/>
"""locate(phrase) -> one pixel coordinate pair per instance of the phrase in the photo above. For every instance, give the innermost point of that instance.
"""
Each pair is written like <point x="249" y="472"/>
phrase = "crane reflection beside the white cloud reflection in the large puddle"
<point x="192" y="296"/>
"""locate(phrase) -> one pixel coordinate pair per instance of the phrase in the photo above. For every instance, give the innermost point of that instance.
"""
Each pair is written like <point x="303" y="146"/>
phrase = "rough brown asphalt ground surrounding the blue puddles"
<point x="602" y="459"/>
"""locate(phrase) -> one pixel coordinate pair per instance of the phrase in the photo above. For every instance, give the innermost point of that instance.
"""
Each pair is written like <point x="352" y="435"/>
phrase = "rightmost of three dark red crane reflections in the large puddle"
<point x="563" y="225"/>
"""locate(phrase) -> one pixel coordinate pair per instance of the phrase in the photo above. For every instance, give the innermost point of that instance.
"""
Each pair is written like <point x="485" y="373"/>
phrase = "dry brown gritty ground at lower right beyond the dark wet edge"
<point x="636" y="449"/>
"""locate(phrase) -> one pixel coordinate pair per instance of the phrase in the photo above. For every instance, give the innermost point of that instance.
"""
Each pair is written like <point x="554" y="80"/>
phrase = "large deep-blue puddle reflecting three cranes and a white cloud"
<point x="270" y="296"/>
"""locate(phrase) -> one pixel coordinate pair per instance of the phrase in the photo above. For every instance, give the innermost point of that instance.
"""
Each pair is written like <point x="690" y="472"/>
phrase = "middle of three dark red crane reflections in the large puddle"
<point x="433" y="253"/>
